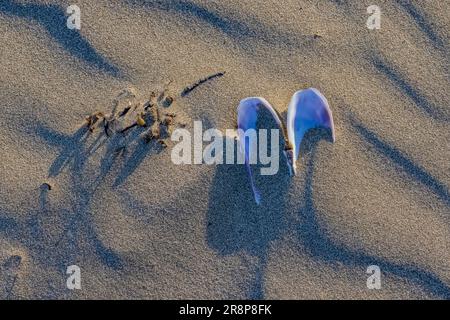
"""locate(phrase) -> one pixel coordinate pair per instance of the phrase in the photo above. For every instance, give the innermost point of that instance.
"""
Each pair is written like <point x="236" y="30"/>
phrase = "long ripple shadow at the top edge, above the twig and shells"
<point x="227" y="24"/>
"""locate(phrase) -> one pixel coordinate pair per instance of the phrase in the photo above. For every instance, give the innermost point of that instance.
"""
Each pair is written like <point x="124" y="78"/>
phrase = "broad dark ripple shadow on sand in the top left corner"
<point x="53" y="19"/>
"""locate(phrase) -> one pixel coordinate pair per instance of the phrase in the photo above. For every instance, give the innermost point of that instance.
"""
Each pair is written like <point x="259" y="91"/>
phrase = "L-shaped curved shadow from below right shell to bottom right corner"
<point x="321" y="247"/>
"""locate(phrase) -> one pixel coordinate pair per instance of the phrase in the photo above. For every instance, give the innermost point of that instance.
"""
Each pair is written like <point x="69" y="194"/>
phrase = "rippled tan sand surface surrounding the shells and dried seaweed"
<point x="139" y="226"/>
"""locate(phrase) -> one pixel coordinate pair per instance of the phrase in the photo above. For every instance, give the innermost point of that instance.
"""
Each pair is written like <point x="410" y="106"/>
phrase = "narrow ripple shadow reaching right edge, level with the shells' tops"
<point x="400" y="82"/>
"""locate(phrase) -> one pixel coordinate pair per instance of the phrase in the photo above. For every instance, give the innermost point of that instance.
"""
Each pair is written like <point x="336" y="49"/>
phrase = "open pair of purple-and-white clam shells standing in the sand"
<point x="308" y="109"/>
